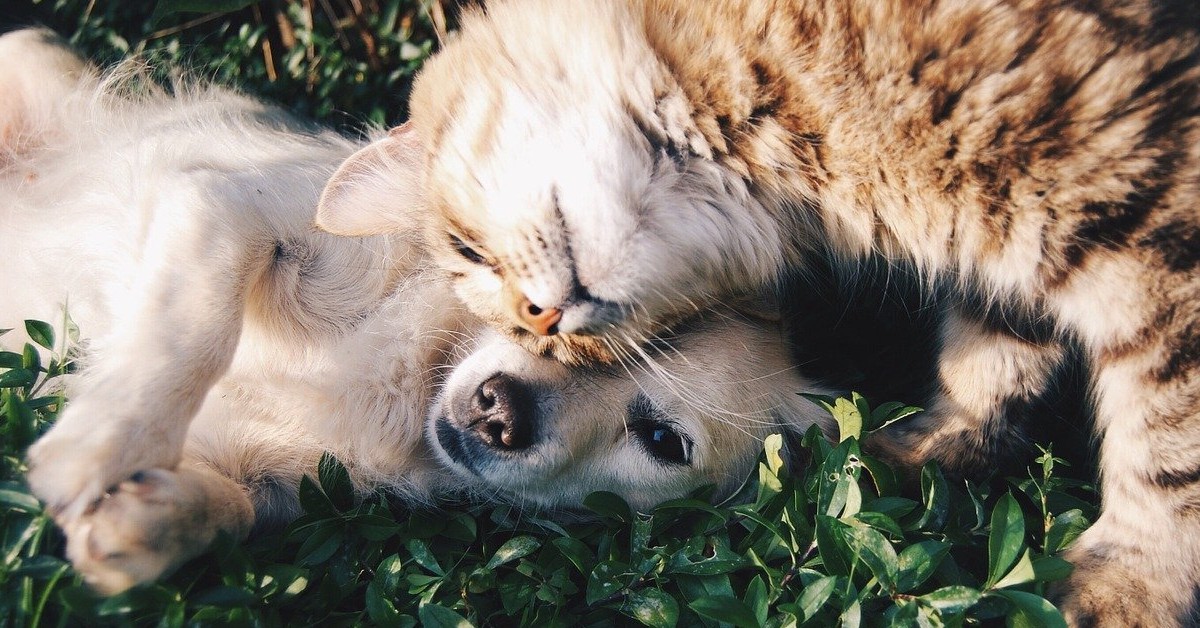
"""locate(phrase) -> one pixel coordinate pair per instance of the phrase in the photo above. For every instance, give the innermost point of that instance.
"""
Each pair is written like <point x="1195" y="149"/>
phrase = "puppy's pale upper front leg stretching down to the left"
<point x="175" y="337"/>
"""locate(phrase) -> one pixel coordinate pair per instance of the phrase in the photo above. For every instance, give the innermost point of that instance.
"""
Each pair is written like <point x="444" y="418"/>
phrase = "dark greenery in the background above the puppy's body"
<point x="325" y="59"/>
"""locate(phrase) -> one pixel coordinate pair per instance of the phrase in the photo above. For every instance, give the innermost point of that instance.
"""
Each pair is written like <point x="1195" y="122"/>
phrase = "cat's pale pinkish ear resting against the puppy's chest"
<point x="377" y="190"/>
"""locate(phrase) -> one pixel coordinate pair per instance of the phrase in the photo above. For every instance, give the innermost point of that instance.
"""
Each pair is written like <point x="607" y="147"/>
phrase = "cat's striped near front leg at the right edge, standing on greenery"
<point x="1139" y="565"/>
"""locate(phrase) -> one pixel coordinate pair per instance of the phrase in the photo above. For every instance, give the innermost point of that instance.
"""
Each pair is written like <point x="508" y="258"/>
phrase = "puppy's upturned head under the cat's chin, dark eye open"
<point x="685" y="415"/>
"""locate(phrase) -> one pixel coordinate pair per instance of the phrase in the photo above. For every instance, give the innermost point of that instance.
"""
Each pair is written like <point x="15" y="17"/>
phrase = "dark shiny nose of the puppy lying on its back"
<point x="502" y="414"/>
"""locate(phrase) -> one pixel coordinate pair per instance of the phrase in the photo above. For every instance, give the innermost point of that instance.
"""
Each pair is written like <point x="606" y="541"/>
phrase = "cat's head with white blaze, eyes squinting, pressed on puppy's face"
<point x="562" y="184"/>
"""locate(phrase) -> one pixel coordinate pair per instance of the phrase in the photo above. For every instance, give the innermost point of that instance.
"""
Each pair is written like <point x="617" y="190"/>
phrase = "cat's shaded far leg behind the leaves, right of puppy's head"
<point x="988" y="379"/>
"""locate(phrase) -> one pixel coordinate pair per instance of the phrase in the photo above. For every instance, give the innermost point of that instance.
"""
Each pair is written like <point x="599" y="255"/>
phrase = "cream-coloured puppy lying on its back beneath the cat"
<point x="229" y="343"/>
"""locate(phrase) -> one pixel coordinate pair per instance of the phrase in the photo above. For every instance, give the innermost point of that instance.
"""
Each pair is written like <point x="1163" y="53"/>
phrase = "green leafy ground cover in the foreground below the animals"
<point x="837" y="542"/>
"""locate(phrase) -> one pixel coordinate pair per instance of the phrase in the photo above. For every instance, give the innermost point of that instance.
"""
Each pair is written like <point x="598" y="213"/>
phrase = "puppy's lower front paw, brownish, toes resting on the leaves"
<point x="143" y="529"/>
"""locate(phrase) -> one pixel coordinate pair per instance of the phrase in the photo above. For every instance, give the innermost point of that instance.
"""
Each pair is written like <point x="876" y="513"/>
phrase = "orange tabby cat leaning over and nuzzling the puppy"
<point x="603" y="169"/>
